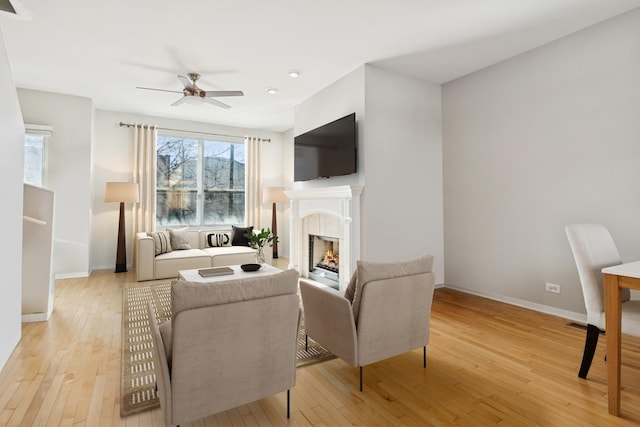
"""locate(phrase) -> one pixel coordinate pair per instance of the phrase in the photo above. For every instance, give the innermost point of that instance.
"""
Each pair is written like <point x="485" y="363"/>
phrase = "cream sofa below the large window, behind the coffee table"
<point x="150" y="266"/>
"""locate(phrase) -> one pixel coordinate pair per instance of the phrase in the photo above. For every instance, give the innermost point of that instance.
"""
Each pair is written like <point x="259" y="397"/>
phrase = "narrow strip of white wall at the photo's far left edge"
<point x="11" y="175"/>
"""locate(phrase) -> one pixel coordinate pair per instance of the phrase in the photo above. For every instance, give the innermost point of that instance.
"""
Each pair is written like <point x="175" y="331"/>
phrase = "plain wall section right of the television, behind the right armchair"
<point x="402" y="201"/>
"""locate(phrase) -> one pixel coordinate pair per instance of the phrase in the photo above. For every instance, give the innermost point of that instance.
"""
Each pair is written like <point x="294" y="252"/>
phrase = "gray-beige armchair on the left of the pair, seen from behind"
<point x="228" y="343"/>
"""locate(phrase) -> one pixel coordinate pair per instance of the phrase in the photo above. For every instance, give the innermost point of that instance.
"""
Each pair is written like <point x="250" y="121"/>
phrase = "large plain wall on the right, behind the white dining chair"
<point x="545" y="139"/>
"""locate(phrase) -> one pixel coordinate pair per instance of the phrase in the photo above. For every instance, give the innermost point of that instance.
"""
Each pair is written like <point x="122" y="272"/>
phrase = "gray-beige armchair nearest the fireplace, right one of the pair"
<point x="384" y="312"/>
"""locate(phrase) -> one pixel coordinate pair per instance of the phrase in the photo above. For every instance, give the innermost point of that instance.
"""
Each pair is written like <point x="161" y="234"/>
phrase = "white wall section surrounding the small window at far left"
<point x="68" y="172"/>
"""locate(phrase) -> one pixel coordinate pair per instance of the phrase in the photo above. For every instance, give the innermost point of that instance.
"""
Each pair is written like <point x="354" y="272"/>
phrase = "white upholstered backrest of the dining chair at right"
<point x="593" y="249"/>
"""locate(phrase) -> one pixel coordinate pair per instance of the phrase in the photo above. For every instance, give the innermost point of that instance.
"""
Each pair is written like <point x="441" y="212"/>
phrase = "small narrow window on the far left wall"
<point x="35" y="154"/>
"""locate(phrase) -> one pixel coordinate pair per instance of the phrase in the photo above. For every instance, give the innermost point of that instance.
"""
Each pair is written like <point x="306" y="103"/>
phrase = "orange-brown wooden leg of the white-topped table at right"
<point x="613" y="308"/>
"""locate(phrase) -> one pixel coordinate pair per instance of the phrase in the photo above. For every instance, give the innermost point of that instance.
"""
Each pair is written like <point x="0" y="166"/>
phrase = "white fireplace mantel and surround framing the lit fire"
<point x="328" y="211"/>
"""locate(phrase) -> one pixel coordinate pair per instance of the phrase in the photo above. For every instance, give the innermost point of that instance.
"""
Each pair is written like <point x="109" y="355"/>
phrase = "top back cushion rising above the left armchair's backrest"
<point x="189" y="295"/>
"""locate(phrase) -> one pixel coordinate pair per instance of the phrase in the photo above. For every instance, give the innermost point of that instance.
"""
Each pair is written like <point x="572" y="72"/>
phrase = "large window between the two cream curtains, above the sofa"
<point x="200" y="182"/>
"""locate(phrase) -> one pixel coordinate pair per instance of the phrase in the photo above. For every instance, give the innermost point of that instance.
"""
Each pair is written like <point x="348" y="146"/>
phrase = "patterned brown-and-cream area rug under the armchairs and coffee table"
<point x="138" y="380"/>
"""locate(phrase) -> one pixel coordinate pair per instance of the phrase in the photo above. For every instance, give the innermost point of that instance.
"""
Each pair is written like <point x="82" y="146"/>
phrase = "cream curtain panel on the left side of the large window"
<point x="144" y="173"/>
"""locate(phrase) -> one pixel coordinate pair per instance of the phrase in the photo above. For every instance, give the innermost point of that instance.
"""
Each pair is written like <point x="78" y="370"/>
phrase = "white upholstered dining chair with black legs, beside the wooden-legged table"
<point x="593" y="249"/>
